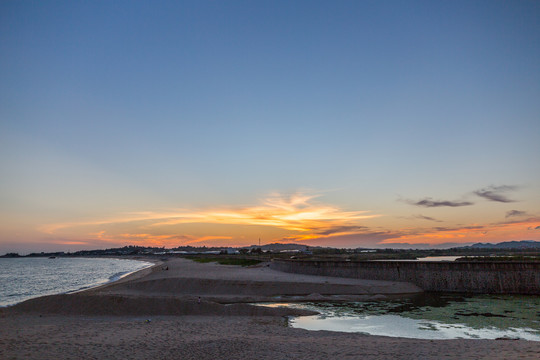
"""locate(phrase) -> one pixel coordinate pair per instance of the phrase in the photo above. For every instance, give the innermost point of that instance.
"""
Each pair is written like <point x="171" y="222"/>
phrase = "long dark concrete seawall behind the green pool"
<point x="473" y="277"/>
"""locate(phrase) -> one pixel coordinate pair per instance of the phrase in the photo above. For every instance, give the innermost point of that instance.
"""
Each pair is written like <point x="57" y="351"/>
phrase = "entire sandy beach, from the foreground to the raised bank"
<point x="155" y="313"/>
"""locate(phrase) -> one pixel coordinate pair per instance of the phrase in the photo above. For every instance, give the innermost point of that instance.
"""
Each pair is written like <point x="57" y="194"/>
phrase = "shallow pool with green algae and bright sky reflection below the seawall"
<point x="430" y="316"/>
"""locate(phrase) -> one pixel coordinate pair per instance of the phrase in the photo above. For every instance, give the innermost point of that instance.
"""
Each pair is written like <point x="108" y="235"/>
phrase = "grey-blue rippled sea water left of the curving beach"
<point x="25" y="278"/>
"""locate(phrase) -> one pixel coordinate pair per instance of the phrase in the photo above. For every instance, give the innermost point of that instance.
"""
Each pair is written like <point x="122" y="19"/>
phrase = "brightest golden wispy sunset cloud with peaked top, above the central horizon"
<point x="298" y="212"/>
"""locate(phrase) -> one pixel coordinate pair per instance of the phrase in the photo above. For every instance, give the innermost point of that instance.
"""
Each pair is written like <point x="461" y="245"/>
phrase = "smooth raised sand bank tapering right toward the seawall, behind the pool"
<point x="225" y="283"/>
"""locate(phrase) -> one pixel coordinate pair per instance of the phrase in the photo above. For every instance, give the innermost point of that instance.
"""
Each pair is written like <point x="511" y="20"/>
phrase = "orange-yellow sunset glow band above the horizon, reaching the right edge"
<point x="294" y="218"/>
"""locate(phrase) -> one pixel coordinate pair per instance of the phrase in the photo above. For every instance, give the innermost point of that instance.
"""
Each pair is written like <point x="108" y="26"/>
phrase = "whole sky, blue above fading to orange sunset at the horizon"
<point x="216" y="123"/>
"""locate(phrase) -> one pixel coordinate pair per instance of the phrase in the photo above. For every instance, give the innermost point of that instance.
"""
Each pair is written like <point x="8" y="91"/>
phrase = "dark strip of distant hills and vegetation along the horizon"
<point x="509" y="251"/>
